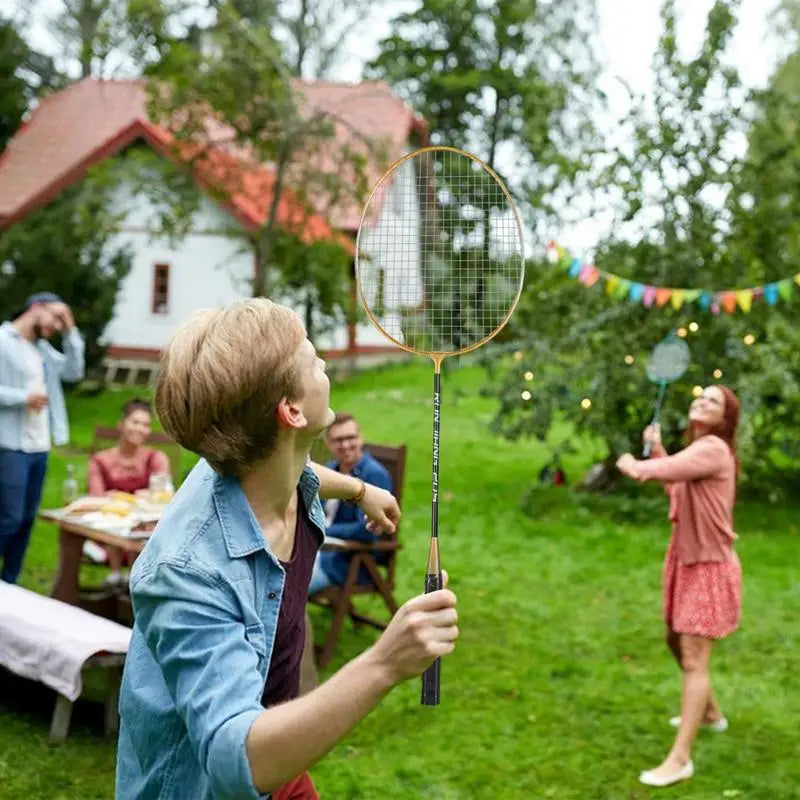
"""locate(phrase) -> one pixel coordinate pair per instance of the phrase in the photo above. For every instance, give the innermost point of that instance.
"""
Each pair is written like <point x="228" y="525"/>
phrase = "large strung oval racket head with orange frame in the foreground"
<point x="439" y="253"/>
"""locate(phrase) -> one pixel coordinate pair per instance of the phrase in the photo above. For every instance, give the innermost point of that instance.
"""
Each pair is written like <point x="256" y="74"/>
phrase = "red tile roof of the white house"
<point x="93" y="119"/>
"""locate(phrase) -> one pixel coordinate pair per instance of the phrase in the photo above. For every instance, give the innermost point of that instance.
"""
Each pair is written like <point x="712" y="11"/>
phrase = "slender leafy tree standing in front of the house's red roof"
<point x="239" y="78"/>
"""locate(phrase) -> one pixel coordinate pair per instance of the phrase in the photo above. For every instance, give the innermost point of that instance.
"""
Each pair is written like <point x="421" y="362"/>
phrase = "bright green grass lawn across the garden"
<point x="560" y="686"/>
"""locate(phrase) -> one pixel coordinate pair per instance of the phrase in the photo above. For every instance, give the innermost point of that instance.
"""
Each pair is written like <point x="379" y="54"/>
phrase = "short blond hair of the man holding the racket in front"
<point x="222" y="377"/>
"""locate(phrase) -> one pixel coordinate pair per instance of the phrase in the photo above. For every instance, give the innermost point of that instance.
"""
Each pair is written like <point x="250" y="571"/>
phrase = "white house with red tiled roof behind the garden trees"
<point x="93" y="120"/>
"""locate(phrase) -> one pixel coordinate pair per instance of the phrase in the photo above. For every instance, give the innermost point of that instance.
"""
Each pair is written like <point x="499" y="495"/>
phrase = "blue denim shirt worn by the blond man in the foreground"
<point x="206" y="592"/>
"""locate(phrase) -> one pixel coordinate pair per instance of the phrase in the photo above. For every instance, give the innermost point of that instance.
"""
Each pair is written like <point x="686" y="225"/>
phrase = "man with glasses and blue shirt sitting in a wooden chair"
<point x="345" y="520"/>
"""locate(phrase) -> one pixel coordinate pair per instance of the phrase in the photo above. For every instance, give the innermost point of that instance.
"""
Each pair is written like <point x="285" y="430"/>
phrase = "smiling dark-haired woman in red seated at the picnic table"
<point x="127" y="467"/>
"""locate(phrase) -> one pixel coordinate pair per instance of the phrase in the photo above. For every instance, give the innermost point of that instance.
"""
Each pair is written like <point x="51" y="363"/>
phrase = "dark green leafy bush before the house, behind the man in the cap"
<point x="65" y="248"/>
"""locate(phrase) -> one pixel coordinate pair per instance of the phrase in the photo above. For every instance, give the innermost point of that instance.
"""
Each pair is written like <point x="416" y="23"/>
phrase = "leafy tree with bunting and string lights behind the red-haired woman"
<point x="680" y="223"/>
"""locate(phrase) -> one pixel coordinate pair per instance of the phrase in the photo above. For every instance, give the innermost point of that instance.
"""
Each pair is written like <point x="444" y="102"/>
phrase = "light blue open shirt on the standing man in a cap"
<point x="66" y="366"/>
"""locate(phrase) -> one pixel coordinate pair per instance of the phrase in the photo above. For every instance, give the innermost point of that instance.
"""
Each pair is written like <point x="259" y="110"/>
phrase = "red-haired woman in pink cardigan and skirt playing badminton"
<point x="702" y="574"/>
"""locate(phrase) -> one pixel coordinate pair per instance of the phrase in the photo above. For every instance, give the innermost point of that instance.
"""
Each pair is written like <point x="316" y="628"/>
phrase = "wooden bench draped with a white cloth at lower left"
<point x="52" y="642"/>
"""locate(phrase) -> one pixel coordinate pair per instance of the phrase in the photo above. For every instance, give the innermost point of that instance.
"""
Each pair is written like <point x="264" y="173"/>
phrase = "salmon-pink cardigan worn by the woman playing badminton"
<point x="701" y="482"/>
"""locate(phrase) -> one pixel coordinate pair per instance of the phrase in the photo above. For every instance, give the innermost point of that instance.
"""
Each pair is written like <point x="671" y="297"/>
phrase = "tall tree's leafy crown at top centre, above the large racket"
<point x="501" y="79"/>
